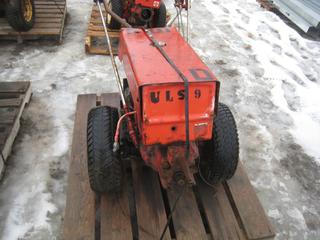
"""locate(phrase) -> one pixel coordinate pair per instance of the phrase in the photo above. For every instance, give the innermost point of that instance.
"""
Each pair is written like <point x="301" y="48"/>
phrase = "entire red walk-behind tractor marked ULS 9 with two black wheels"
<point x="169" y="115"/>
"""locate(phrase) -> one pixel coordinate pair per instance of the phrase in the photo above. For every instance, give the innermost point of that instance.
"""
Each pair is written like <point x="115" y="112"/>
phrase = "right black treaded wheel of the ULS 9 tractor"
<point x="219" y="156"/>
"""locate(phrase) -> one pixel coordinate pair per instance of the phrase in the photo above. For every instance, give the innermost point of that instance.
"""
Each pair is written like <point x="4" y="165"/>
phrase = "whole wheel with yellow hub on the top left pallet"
<point x="20" y="14"/>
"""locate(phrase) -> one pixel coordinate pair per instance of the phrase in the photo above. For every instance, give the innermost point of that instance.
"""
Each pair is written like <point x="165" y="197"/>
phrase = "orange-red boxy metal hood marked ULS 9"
<point x="157" y="90"/>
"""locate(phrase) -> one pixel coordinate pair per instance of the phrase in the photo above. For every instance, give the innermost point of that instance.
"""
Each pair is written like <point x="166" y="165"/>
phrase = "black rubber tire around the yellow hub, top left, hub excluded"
<point x="15" y="16"/>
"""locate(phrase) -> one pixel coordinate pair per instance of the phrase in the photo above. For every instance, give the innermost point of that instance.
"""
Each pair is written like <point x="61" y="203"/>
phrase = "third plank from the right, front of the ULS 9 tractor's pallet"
<point x="186" y="218"/>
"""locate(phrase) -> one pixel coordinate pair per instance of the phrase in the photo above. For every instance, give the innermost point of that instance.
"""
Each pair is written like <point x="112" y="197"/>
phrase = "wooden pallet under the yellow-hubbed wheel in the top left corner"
<point x="49" y="22"/>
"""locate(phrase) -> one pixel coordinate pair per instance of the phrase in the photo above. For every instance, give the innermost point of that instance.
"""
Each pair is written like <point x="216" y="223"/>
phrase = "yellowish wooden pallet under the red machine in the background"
<point x="95" y="42"/>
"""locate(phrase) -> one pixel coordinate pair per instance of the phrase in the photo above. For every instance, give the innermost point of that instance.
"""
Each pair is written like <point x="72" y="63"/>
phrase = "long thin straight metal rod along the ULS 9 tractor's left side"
<point x="114" y="65"/>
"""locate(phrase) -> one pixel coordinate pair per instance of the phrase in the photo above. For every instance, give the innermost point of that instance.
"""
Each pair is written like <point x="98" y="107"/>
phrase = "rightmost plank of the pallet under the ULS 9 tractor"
<point x="248" y="206"/>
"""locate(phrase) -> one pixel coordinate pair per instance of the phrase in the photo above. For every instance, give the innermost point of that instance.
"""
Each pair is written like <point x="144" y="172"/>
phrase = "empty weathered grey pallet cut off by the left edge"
<point x="13" y="98"/>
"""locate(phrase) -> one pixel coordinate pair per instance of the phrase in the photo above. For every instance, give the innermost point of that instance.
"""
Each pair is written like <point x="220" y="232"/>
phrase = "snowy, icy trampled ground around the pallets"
<point x="270" y="79"/>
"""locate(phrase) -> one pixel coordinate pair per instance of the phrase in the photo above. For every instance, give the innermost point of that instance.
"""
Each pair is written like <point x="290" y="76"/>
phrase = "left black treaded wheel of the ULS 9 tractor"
<point x="104" y="167"/>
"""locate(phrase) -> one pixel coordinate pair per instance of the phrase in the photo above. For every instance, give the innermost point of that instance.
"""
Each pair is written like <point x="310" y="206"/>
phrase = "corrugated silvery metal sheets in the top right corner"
<point x="304" y="13"/>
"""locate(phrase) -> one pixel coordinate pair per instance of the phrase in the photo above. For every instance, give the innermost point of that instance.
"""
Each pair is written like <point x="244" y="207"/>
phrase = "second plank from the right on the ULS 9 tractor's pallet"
<point x="219" y="214"/>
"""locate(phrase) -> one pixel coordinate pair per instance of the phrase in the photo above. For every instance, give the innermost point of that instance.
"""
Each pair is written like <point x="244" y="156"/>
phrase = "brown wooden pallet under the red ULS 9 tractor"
<point x="230" y="211"/>
